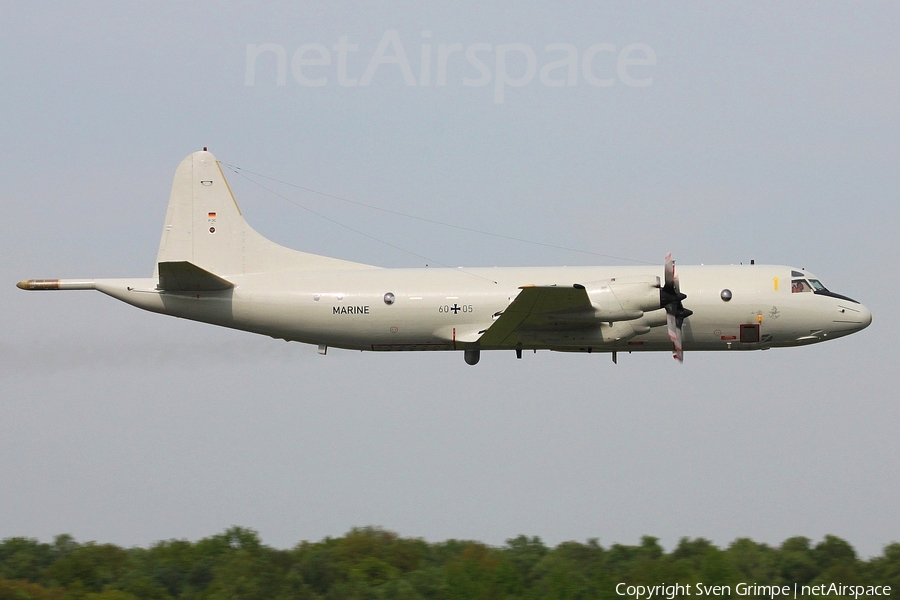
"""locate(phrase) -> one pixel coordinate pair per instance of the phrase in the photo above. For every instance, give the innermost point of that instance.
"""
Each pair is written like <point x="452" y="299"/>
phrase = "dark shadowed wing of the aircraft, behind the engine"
<point x="540" y="308"/>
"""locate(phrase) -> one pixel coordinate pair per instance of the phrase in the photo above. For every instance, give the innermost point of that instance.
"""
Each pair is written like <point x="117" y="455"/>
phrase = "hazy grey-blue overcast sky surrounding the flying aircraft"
<point x="721" y="132"/>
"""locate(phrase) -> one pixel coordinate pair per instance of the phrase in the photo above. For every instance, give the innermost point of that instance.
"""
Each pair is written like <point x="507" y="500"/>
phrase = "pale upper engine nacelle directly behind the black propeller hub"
<point x="624" y="299"/>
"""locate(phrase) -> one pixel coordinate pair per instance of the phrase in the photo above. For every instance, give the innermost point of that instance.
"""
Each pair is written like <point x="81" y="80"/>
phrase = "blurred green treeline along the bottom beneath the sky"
<point x="371" y="563"/>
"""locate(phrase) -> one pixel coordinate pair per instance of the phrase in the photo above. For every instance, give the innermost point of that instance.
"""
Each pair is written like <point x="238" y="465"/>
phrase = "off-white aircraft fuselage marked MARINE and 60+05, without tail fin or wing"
<point x="447" y="309"/>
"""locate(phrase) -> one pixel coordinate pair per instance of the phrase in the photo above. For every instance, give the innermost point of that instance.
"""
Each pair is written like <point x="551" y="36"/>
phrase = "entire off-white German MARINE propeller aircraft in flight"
<point x="214" y="268"/>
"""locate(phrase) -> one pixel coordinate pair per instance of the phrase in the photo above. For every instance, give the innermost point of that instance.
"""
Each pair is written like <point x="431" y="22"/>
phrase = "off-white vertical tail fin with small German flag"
<point x="204" y="226"/>
